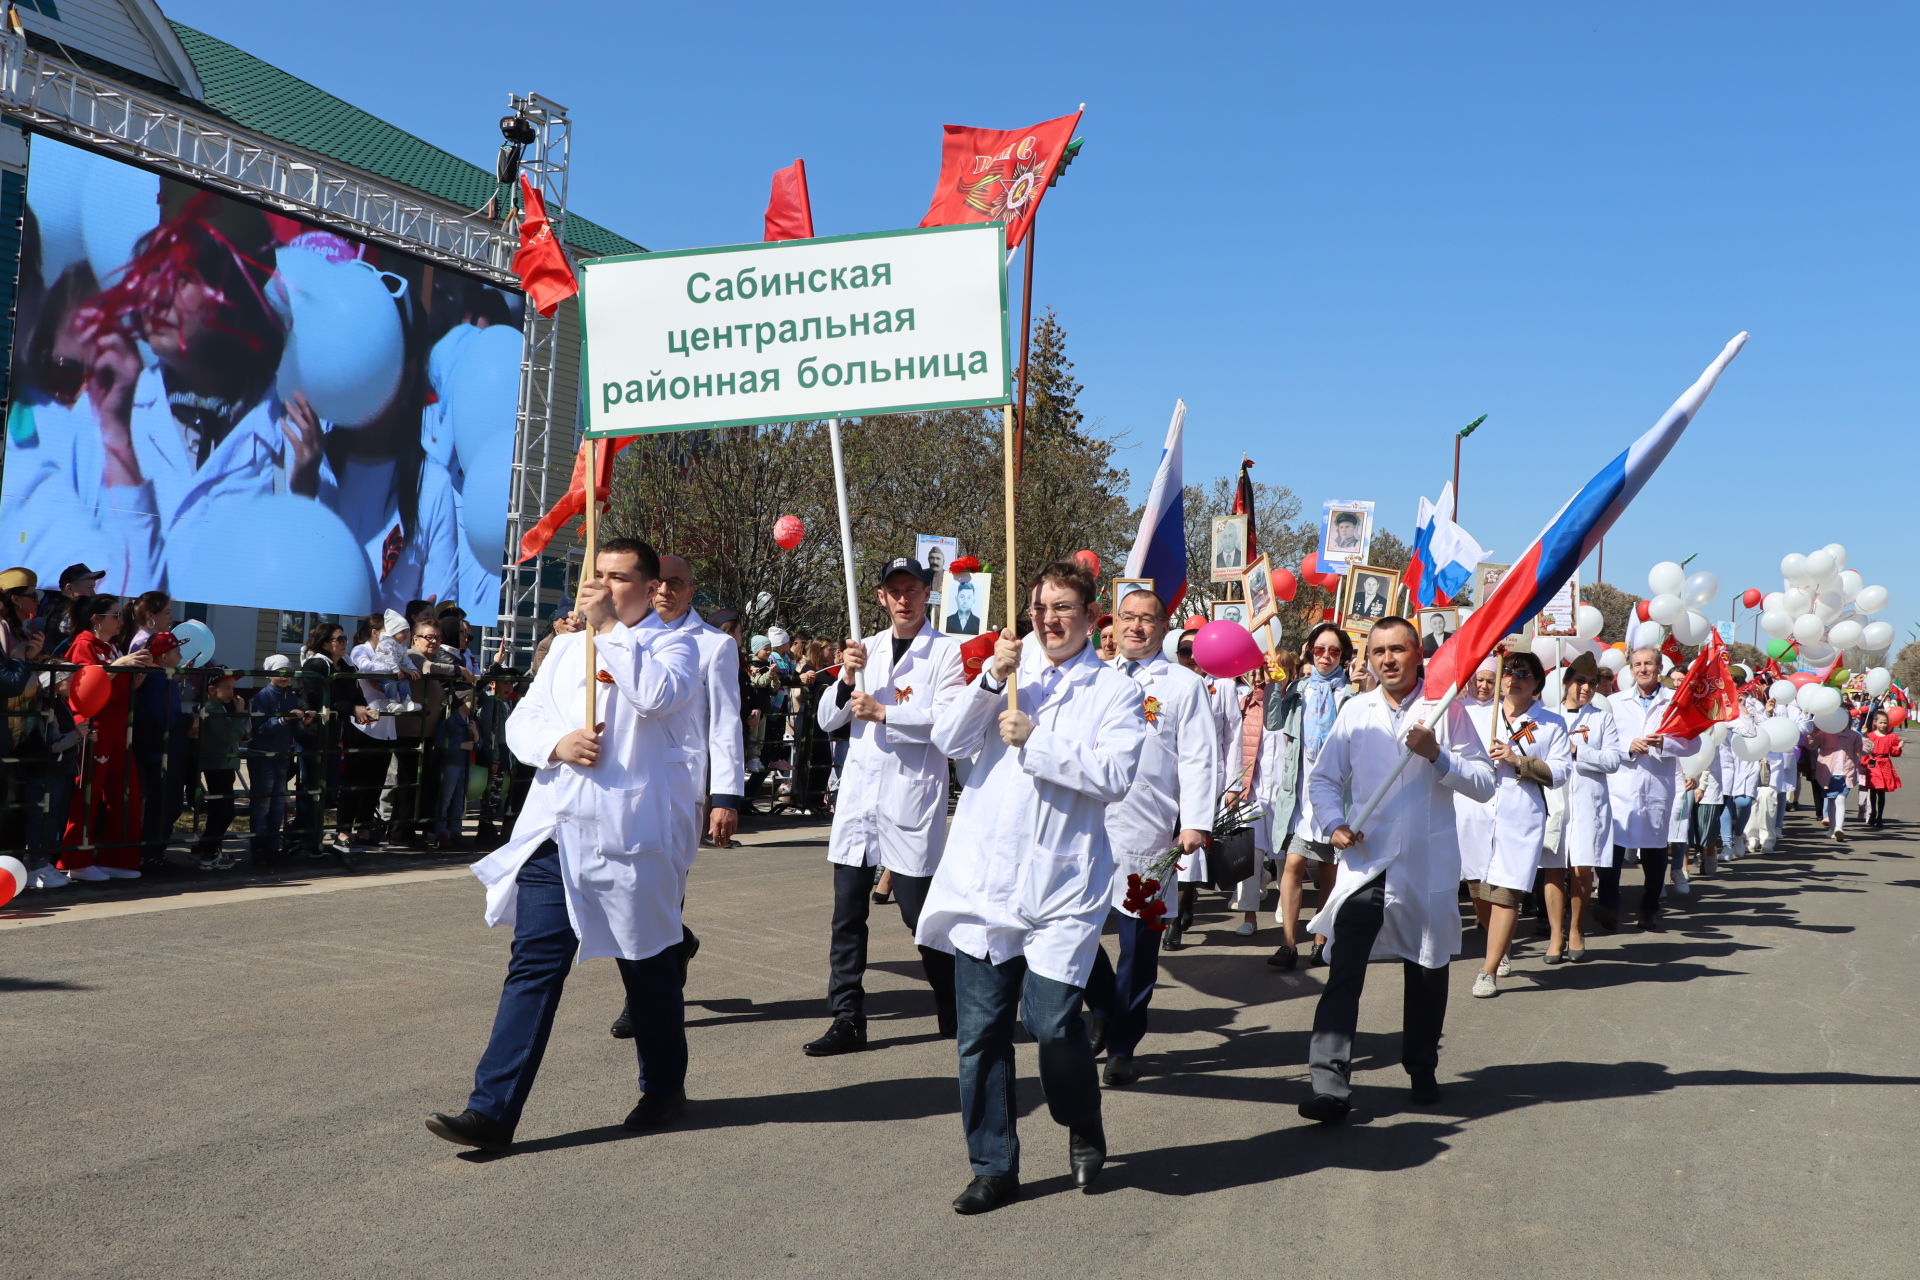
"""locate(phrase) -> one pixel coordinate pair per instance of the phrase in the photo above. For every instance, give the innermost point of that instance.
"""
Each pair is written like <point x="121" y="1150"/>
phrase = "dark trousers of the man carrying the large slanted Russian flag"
<point x="1422" y="1007"/>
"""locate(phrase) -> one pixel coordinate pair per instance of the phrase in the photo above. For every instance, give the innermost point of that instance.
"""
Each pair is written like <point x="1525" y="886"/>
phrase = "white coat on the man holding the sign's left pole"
<point x="629" y="826"/>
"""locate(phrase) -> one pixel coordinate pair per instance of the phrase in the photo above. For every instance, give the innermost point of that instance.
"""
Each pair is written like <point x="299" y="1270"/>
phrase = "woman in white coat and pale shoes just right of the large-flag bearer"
<point x="1502" y="838"/>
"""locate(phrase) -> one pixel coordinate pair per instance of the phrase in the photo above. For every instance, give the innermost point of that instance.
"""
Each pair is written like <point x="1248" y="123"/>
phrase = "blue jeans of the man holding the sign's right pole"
<point x="988" y="997"/>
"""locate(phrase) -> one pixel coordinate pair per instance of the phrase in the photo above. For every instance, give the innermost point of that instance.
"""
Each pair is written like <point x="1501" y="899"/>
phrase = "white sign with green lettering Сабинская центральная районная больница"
<point x="804" y="329"/>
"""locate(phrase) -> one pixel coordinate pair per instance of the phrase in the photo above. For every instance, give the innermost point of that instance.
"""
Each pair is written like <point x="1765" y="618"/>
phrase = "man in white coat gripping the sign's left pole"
<point x="600" y="857"/>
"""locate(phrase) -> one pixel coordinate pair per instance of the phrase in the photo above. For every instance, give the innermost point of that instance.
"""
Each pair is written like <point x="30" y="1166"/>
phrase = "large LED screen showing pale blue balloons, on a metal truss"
<point x="243" y="408"/>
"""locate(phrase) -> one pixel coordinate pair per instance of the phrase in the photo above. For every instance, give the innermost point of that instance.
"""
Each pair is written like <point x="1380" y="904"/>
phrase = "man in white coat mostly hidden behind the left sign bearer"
<point x="711" y="730"/>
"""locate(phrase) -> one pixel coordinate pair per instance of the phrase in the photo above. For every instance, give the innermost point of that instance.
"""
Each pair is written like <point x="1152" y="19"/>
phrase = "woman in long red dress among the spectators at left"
<point x="103" y="840"/>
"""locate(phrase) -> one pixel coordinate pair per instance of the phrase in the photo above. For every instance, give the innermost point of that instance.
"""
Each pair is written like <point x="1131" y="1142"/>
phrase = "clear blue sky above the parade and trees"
<point x="1337" y="231"/>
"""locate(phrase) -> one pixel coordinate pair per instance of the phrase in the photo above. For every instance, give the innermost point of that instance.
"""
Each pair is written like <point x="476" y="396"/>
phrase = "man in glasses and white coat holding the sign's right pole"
<point x="1028" y="874"/>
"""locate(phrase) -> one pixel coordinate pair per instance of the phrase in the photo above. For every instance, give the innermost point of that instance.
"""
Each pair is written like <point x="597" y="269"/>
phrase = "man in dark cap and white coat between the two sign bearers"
<point x="892" y="809"/>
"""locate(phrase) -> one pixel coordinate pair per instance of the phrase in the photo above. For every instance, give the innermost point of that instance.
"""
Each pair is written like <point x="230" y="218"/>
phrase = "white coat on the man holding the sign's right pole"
<point x="1028" y="868"/>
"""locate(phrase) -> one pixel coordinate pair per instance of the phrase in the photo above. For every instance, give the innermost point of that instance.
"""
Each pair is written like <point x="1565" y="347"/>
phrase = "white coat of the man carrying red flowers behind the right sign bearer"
<point x="1178" y="782"/>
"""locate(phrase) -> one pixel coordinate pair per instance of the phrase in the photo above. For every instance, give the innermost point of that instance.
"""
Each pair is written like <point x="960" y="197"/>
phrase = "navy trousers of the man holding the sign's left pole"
<point x="542" y="957"/>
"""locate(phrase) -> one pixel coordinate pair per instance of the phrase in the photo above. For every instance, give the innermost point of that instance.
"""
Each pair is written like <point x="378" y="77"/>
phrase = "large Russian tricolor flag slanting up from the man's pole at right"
<point x="1568" y="540"/>
